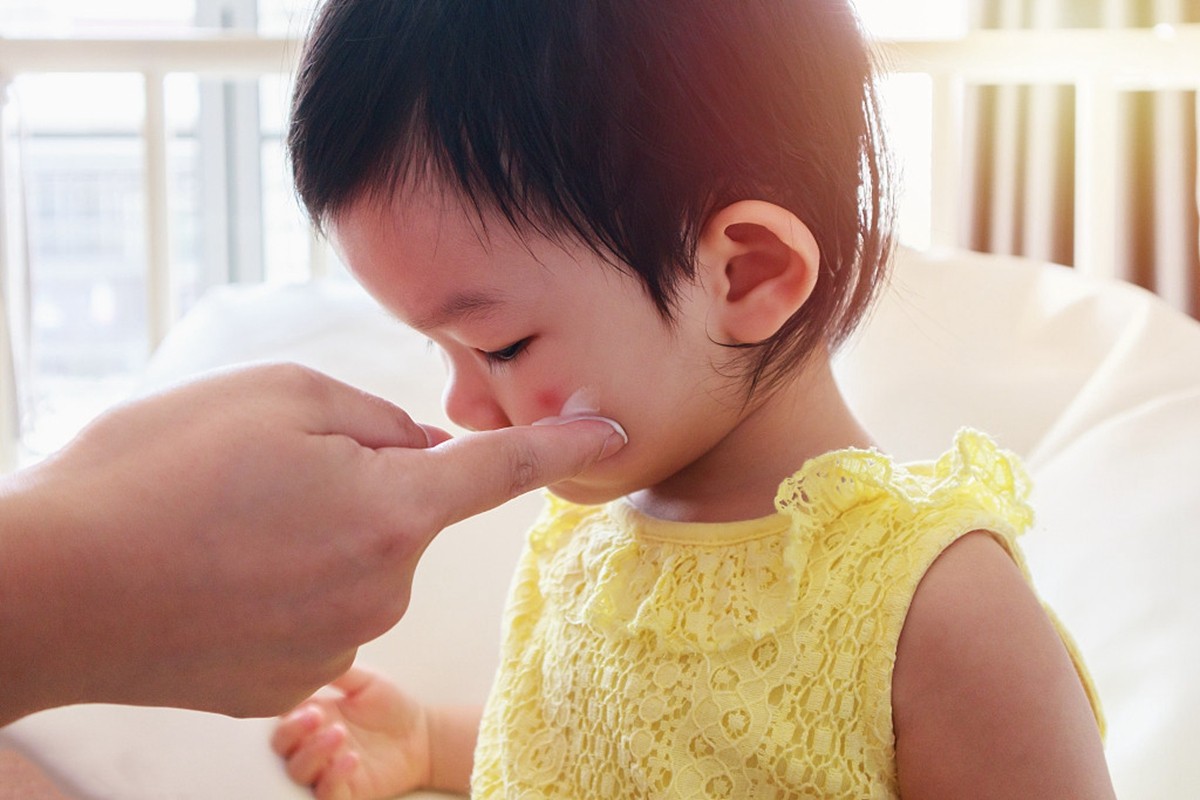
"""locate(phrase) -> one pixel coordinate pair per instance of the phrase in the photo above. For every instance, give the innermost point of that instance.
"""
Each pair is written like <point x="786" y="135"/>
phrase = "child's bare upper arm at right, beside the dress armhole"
<point x="987" y="702"/>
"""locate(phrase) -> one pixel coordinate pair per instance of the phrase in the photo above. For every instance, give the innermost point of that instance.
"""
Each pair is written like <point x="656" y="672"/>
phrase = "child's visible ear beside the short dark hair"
<point x="760" y="264"/>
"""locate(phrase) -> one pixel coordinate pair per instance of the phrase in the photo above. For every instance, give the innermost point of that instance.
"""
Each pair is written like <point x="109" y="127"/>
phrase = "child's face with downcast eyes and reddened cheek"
<point x="527" y="324"/>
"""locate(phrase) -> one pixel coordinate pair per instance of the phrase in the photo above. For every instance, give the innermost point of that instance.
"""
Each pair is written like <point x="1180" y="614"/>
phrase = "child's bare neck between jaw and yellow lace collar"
<point x="739" y="478"/>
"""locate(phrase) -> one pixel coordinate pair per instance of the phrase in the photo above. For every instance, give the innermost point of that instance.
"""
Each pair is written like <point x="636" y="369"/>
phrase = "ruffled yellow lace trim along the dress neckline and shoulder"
<point x="704" y="593"/>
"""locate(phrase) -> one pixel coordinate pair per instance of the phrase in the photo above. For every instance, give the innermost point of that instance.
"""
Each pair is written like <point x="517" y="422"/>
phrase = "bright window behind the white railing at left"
<point x="75" y="197"/>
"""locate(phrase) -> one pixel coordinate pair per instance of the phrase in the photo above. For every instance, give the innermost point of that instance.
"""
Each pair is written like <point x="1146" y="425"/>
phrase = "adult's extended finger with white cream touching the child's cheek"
<point x="478" y="472"/>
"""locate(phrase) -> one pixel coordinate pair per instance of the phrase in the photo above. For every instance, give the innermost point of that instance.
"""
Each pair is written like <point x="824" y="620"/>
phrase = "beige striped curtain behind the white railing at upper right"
<point x="1021" y="151"/>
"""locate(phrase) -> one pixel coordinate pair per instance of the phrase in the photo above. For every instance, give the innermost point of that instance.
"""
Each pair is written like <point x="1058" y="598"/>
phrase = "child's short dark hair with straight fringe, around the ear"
<point x="623" y="123"/>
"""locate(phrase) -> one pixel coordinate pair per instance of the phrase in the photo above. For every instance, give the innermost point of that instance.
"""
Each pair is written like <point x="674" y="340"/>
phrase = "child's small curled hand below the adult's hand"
<point x="361" y="739"/>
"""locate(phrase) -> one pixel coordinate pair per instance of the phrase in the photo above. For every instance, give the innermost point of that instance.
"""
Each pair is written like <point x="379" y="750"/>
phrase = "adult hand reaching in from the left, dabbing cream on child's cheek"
<point x="227" y="545"/>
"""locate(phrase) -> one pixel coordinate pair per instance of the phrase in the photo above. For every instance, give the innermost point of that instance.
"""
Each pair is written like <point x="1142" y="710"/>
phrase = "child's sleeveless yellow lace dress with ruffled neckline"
<point x="651" y="659"/>
